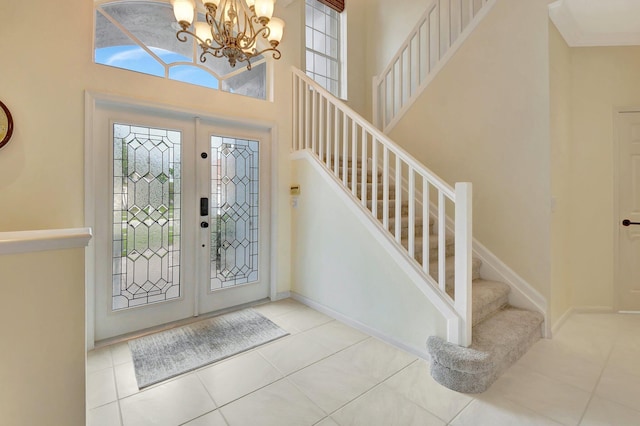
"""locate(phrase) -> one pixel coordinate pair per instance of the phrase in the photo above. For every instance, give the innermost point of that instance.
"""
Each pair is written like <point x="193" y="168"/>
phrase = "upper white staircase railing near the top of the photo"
<point x="440" y="31"/>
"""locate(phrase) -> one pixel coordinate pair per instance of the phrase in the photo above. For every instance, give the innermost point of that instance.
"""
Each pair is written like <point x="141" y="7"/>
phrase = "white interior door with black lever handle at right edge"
<point x="628" y="285"/>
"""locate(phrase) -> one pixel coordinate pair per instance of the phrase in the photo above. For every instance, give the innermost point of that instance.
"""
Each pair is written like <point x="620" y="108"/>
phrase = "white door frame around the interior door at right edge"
<point x="616" y="202"/>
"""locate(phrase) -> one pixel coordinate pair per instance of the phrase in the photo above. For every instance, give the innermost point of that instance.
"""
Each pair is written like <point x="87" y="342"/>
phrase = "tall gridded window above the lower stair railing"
<point x="323" y="40"/>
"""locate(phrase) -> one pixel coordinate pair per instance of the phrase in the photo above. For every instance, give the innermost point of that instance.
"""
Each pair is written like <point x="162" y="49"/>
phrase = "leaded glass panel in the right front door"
<point x="234" y="212"/>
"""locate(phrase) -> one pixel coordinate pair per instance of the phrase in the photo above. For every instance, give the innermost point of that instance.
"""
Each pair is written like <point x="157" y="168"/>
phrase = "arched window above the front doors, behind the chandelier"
<point x="141" y="36"/>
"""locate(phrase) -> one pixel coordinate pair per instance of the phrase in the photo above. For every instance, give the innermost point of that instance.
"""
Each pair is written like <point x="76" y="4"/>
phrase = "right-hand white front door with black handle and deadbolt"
<point x="234" y="235"/>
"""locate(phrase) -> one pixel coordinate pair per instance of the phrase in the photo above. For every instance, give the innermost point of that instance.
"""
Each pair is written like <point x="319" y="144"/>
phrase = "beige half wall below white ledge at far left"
<point x="42" y="368"/>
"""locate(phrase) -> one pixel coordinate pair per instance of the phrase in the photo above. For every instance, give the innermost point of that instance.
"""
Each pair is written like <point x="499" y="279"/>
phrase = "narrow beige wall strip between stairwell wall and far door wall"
<point x="560" y="113"/>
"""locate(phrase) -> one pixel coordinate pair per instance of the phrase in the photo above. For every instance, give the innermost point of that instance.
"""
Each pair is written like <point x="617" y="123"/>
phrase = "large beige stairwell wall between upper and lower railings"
<point x="485" y="119"/>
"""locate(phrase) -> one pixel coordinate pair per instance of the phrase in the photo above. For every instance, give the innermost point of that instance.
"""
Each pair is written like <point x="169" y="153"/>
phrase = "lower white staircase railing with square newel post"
<point x="367" y="162"/>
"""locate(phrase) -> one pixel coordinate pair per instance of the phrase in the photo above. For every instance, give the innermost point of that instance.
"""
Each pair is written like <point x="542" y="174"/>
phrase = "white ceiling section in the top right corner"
<point x="597" y="22"/>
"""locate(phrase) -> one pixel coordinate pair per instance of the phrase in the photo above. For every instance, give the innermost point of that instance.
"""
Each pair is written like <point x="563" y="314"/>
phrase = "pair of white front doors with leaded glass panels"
<point x="181" y="218"/>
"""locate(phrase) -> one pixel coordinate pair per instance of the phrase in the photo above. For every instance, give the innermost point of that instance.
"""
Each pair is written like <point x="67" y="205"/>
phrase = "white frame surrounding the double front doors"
<point x="92" y="100"/>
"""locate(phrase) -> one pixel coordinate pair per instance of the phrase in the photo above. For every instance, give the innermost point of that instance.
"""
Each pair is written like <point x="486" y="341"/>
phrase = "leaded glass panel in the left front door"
<point x="146" y="216"/>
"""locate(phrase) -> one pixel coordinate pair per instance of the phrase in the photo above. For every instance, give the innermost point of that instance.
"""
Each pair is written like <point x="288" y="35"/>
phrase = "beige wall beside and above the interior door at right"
<point x="603" y="78"/>
